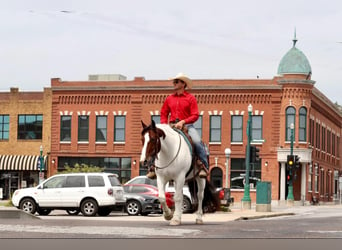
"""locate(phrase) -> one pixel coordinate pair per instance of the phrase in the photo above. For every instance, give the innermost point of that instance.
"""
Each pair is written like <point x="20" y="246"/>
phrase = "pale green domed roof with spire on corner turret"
<point x="294" y="62"/>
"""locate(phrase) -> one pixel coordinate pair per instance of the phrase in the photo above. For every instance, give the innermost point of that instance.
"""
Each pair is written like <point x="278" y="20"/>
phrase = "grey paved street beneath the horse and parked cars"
<point x="296" y="222"/>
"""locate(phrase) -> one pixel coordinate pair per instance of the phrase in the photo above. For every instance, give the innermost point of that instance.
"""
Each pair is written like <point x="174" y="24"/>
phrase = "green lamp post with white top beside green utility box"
<point x="246" y="200"/>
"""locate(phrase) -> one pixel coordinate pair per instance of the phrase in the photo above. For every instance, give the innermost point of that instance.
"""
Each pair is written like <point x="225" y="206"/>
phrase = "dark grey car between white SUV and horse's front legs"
<point x="141" y="204"/>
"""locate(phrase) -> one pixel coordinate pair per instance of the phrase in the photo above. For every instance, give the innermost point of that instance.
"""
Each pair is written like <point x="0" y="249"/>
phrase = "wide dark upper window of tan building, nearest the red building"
<point x="30" y="127"/>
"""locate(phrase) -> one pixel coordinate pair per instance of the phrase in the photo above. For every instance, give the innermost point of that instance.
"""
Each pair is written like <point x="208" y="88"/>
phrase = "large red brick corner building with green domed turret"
<point x="98" y="122"/>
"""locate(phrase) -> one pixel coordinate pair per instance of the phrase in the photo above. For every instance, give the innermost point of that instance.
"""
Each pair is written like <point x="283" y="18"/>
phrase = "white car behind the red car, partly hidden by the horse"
<point x="187" y="201"/>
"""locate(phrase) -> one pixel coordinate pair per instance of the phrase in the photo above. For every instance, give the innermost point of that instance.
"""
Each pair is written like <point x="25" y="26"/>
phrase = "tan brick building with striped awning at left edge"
<point x="25" y="123"/>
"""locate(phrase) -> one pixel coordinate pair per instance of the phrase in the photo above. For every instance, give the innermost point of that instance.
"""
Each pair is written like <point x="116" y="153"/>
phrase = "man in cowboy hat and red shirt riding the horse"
<point x="181" y="109"/>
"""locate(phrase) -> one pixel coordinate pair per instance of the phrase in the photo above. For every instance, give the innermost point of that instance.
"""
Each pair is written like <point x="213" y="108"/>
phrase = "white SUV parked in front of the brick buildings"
<point x="88" y="193"/>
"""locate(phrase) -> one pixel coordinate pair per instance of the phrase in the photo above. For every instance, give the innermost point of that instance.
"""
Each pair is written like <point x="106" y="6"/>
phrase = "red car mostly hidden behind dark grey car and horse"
<point x="148" y="190"/>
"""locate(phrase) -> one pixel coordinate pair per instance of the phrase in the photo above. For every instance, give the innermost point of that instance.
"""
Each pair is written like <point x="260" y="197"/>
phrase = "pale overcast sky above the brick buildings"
<point x="156" y="39"/>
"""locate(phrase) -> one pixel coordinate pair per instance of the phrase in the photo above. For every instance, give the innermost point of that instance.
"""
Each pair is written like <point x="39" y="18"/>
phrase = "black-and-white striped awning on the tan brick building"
<point x="20" y="162"/>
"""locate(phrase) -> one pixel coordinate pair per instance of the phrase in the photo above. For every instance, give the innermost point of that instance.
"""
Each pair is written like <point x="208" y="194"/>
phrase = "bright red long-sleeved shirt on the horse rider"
<point x="183" y="107"/>
